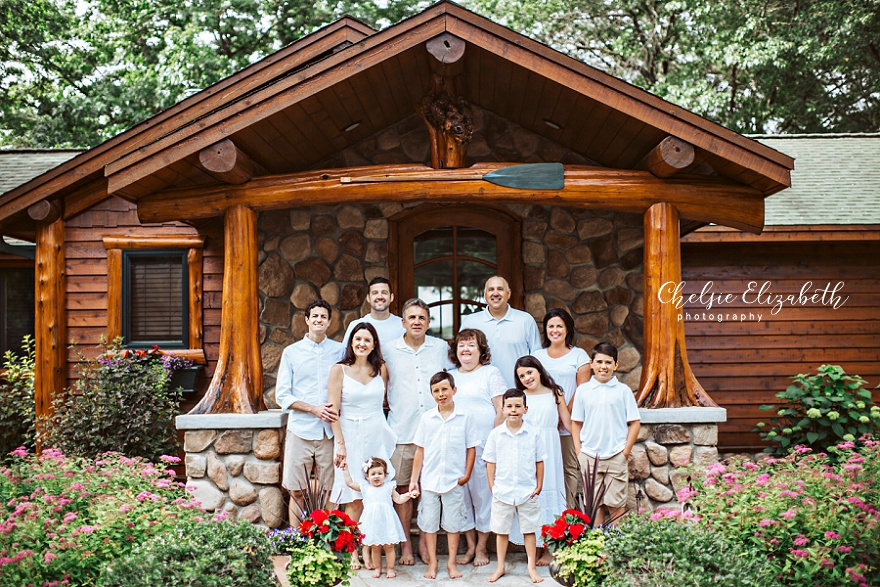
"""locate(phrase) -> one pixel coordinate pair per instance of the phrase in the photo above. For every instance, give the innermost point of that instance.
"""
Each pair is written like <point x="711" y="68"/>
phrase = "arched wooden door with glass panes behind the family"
<point x="444" y="254"/>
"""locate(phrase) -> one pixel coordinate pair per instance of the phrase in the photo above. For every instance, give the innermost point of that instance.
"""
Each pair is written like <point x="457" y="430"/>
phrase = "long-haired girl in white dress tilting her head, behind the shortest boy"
<point x="547" y="411"/>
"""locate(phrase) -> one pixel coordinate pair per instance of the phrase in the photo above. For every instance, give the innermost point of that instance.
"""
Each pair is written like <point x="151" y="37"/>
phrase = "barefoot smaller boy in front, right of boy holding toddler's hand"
<point x="514" y="455"/>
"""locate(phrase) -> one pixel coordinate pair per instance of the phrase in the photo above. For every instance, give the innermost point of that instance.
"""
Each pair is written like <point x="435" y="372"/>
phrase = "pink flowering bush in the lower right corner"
<point x="816" y="517"/>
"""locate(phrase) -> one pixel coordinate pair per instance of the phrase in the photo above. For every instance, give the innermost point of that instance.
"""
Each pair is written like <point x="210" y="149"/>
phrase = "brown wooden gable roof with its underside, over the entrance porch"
<point x="345" y="83"/>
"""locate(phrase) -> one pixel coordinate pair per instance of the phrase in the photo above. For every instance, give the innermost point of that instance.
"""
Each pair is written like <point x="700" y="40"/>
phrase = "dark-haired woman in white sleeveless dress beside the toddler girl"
<point x="356" y="388"/>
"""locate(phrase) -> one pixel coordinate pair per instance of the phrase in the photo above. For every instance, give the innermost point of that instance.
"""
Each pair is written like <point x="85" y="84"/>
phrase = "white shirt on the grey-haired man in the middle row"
<point x="409" y="386"/>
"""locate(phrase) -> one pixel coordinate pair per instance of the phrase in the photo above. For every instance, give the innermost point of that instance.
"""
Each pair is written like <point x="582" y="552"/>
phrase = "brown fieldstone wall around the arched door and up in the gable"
<point x="585" y="261"/>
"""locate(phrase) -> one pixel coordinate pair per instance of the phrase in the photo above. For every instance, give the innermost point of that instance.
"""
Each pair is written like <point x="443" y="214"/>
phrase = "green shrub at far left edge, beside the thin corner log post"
<point x="17" y="399"/>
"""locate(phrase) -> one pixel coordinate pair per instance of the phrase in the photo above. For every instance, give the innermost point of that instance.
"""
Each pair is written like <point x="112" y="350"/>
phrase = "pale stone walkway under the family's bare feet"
<point x="517" y="575"/>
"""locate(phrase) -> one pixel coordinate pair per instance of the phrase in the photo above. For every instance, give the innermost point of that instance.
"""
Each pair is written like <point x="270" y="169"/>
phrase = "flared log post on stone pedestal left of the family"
<point x="237" y="385"/>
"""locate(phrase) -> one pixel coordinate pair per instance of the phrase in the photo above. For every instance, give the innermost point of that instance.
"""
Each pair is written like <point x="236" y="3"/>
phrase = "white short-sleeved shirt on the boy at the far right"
<point x="605" y="410"/>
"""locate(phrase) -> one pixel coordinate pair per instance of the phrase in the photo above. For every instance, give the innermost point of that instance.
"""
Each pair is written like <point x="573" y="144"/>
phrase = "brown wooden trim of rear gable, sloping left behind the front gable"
<point x="92" y="161"/>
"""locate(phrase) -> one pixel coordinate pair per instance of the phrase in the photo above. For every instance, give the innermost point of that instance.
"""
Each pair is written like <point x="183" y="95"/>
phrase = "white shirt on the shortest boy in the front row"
<point x="515" y="457"/>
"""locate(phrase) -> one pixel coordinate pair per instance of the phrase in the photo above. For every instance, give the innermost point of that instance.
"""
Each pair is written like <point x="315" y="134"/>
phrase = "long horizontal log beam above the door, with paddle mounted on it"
<point x="696" y="198"/>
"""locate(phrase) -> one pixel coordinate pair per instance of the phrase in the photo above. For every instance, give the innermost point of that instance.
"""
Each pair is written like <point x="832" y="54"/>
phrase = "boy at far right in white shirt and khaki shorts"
<point x="605" y="421"/>
